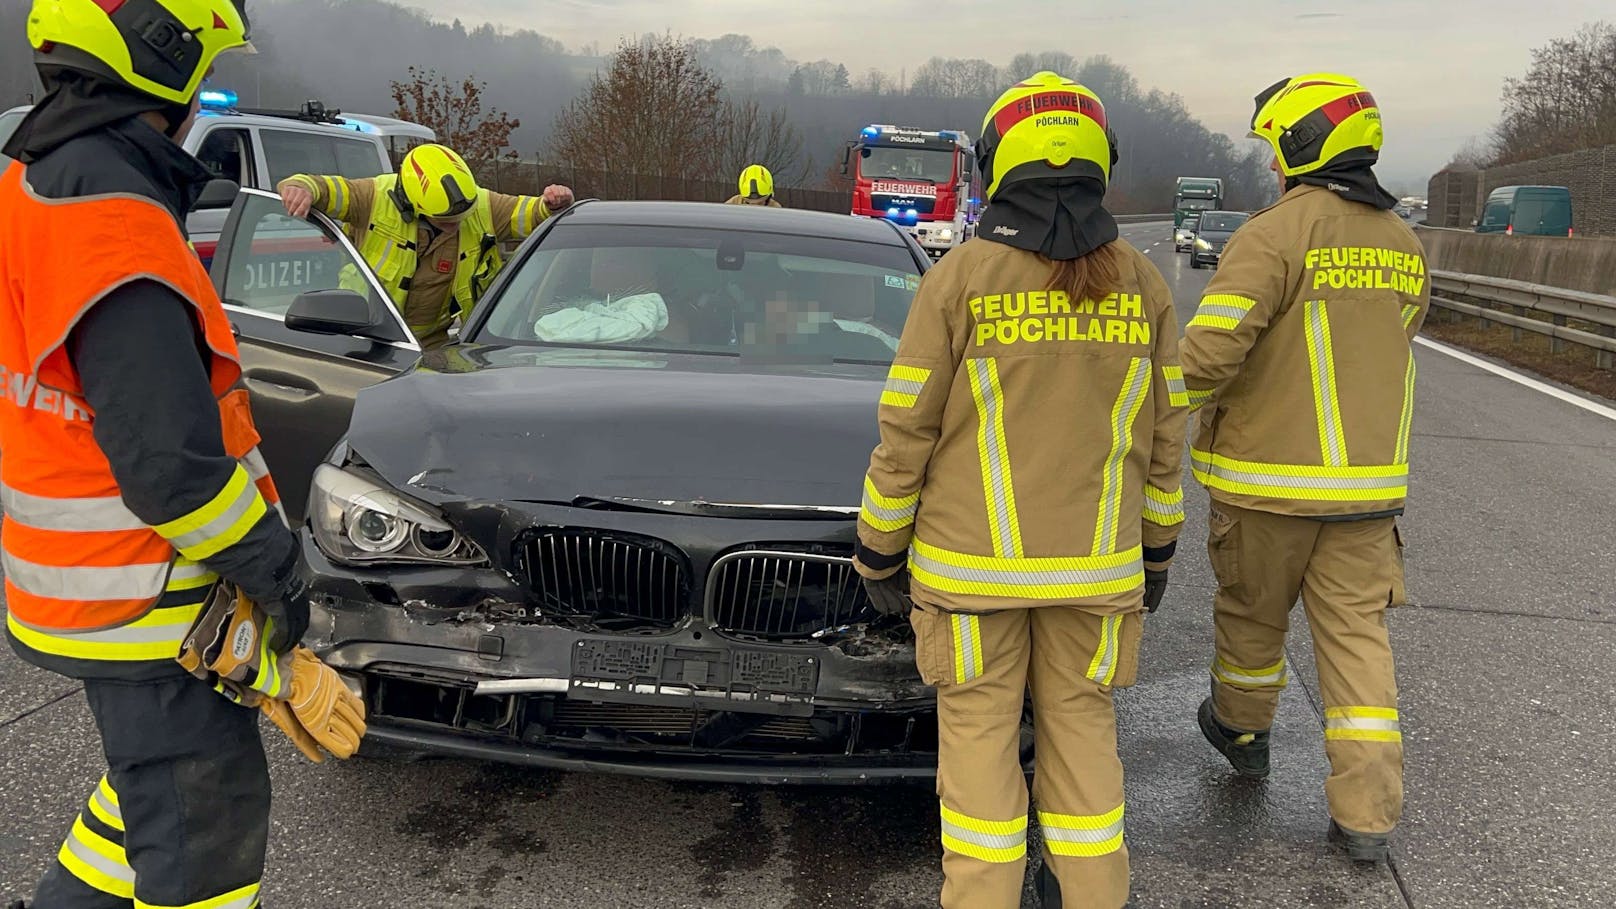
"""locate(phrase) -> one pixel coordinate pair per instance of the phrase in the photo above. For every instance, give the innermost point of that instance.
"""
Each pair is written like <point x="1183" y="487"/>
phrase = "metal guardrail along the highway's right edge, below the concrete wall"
<point x="1521" y="305"/>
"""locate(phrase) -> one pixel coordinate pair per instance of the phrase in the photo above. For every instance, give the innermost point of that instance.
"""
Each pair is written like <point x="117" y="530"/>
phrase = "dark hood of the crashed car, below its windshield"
<point x="552" y="425"/>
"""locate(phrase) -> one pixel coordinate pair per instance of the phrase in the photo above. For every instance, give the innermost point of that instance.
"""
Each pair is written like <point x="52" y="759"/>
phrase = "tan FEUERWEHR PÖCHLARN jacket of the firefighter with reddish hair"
<point x="1030" y="444"/>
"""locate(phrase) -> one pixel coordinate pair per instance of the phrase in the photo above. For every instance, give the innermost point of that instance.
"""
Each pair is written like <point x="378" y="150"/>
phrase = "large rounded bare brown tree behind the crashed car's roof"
<point x="655" y="112"/>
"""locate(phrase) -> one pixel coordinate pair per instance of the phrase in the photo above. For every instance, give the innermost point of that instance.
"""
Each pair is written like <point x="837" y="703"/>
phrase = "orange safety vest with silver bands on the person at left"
<point x="77" y="560"/>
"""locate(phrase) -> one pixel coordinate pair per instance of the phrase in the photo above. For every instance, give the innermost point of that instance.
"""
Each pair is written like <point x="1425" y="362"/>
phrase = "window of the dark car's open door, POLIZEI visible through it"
<point x="274" y="258"/>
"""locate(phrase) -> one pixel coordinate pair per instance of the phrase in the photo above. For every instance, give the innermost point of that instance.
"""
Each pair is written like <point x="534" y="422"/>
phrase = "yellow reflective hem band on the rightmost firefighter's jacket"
<point x="1310" y="483"/>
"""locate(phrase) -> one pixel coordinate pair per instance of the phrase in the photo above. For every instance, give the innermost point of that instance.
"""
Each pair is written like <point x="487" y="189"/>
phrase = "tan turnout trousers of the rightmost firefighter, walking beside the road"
<point x="1347" y="573"/>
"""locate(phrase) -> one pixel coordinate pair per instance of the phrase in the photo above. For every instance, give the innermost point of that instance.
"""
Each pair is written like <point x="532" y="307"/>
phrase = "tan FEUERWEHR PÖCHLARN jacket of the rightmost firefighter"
<point x="1300" y="363"/>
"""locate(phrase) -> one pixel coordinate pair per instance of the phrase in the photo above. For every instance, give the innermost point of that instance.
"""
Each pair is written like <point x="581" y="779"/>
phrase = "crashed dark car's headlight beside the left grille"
<point x="360" y="522"/>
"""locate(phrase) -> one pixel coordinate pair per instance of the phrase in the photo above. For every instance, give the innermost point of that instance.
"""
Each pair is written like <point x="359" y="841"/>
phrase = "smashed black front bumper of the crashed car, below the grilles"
<point x="453" y="662"/>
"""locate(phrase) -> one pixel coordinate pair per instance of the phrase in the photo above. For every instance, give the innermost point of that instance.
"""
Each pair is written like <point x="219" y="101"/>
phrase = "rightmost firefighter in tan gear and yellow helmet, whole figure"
<point x="1302" y="370"/>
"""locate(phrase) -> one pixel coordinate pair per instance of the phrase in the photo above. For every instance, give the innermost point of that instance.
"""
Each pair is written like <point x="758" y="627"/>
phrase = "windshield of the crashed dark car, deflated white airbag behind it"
<point x="709" y="292"/>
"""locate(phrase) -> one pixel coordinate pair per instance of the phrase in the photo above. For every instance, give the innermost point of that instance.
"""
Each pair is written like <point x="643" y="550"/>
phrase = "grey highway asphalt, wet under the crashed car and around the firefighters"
<point x="1505" y="664"/>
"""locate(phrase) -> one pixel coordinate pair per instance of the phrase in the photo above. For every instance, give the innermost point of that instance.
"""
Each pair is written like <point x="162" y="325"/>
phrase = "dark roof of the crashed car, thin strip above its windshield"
<point x="717" y="216"/>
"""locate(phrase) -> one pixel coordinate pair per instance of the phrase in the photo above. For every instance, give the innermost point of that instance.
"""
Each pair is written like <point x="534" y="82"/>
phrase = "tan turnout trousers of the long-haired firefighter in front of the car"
<point x="983" y="667"/>
